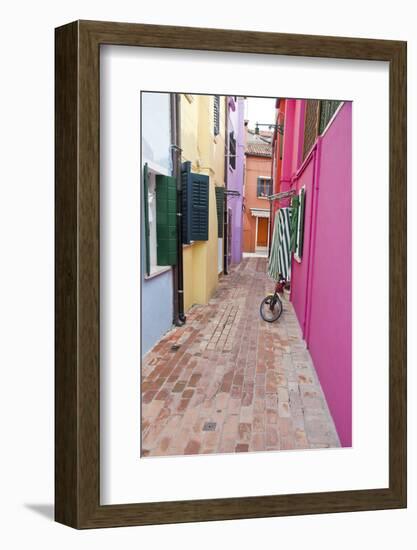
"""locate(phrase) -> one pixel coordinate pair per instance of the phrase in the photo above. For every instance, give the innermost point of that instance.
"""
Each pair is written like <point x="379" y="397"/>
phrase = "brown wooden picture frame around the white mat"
<point x="77" y="373"/>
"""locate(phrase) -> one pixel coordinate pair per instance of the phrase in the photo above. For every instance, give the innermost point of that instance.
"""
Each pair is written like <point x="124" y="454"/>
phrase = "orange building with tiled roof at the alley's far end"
<point x="257" y="188"/>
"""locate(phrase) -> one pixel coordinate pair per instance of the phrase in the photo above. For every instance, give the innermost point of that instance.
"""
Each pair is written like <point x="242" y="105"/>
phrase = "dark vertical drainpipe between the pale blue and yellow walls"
<point x="178" y="270"/>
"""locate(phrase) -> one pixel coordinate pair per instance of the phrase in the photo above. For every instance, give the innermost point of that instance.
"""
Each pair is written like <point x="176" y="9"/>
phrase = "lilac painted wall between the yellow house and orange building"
<point x="236" y="111"/>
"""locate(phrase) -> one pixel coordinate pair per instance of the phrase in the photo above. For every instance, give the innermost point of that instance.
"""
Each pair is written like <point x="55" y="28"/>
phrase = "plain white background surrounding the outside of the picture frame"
<point x="26" y="289"/>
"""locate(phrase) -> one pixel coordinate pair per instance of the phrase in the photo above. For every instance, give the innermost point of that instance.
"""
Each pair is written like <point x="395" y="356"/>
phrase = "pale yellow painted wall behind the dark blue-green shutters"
<point x="205" y="151"/>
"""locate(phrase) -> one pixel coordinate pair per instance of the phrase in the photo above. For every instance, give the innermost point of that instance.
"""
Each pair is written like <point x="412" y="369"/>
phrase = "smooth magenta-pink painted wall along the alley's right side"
<point x="322" y="282"/>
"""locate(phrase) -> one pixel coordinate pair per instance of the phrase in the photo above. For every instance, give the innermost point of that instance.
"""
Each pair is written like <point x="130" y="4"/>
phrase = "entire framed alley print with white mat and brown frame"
<point x="230" y="274"/>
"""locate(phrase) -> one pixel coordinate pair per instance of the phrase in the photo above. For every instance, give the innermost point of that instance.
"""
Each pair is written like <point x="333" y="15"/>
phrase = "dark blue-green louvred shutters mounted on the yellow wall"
<point x="195" y="205"/>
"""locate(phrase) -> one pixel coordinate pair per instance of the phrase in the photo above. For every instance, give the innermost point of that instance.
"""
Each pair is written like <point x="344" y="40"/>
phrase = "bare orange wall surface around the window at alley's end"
<point x="255" y="167"/>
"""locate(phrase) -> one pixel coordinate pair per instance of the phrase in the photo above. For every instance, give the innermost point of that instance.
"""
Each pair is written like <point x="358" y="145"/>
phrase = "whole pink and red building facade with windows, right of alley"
<point x="316" y="163"/>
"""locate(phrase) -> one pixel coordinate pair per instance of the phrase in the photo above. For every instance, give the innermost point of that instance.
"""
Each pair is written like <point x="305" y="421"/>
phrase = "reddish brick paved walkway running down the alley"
<point x="229" y="382"/>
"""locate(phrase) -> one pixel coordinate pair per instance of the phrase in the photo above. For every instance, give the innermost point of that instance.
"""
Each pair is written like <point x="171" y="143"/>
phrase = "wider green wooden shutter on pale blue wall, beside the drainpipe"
<point x="166" y="220"/>
